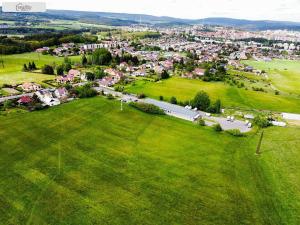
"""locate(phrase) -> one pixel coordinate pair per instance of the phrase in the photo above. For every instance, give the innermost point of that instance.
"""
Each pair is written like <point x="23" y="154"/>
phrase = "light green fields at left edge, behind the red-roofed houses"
<point x="13" y="64"/>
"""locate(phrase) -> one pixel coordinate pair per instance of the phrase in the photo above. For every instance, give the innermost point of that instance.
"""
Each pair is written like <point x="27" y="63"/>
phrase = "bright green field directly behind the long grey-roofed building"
<point x="231" y="96"/>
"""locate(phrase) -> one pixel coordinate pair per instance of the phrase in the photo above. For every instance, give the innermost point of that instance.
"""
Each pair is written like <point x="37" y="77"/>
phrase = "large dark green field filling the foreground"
<point x="87" y="162"/>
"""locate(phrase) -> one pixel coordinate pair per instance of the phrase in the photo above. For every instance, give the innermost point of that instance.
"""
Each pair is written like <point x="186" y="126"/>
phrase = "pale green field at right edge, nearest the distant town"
<point x="284" y="74"/>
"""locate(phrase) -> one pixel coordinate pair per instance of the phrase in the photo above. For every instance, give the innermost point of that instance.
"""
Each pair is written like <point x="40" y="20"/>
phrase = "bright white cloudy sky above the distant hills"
<point x="283" y="10"/>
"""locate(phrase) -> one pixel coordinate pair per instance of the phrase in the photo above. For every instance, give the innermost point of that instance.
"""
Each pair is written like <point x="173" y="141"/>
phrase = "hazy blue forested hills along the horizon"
<point x="123" y="19"/>
